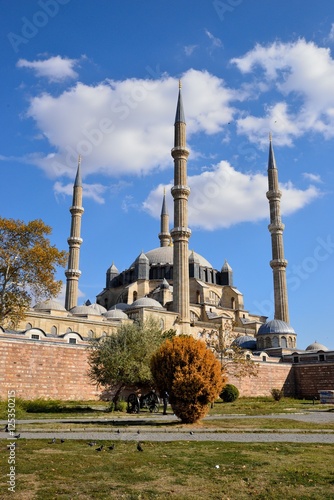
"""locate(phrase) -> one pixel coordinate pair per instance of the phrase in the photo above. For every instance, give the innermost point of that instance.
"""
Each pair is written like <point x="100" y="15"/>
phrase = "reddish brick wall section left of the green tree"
<point x="38" y="370"/>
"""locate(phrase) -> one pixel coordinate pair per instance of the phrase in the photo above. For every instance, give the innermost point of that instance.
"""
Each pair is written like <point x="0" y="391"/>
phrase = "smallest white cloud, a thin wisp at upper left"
<point x="55" y="69"/>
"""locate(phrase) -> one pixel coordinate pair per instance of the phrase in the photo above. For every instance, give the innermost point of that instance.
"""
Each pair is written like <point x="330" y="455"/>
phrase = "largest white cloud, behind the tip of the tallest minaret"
<point x="126" y="127"/>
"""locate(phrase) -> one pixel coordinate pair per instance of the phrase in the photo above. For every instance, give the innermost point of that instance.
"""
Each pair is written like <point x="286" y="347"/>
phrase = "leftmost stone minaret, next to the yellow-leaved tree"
<point x="74" y="241"/>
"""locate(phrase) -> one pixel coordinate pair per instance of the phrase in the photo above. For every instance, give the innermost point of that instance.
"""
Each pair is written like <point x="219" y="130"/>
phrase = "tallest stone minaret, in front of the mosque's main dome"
<point x="180" y="233"/>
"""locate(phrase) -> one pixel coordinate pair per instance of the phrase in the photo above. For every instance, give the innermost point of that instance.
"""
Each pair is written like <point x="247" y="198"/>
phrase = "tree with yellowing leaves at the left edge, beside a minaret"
<point x="28" y="265"/>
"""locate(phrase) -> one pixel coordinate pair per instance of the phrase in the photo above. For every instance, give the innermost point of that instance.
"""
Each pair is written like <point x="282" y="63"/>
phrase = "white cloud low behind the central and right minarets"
<point x="223" y="197"/>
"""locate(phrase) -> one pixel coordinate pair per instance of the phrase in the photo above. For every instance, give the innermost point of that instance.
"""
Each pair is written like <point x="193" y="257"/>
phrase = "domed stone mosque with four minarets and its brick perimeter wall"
<point x="183" y="292"/>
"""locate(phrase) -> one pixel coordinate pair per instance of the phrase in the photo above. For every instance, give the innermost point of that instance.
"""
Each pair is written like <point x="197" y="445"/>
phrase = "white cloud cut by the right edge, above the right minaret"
<point x="302" y="74"/>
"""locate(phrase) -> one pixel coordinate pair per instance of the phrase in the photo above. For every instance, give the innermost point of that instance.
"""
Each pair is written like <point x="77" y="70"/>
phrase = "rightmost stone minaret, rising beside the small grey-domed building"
<point x="276" y="228"/>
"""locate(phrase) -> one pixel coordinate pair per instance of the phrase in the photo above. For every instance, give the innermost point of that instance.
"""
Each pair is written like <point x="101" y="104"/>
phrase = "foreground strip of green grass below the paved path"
<point x="181" y="470"/>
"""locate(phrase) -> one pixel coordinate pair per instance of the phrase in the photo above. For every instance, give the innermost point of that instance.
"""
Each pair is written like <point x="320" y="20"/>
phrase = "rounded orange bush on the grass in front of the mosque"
<point x="190" y="373"/>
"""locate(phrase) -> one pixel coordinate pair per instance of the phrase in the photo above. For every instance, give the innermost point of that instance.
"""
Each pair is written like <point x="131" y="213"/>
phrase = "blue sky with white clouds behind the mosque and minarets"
<point x="101" y="79"/>
